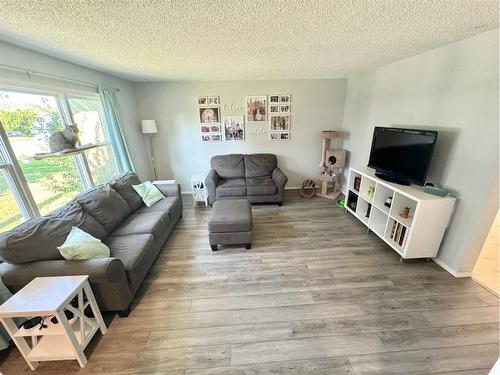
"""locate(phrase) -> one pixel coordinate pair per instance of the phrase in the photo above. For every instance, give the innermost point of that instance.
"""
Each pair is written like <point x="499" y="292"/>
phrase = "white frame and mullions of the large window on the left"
<point x="10" y="167"/>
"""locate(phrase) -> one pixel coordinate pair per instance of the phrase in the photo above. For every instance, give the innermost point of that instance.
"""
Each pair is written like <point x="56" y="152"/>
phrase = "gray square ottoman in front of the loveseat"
<point x="230" y="223"/>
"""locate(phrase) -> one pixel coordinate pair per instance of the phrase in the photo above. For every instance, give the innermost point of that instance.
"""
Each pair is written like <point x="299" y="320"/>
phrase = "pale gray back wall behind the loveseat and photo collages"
<point x="316" y="105"/>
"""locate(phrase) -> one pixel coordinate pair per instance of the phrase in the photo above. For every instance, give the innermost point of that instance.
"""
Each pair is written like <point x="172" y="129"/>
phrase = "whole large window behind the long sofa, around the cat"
<point x="29" y="187"/>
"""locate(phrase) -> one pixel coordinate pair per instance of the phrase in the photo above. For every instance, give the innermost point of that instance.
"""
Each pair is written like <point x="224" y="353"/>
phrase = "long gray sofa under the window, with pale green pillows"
<point x="112" y="212"/>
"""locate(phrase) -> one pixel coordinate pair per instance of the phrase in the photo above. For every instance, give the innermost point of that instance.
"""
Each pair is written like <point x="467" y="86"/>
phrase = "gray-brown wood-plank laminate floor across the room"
<point x="316" y="294"/>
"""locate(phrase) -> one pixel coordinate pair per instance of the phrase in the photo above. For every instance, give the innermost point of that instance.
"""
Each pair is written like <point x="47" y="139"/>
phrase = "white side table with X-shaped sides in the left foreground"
<point x="48" y="297"/>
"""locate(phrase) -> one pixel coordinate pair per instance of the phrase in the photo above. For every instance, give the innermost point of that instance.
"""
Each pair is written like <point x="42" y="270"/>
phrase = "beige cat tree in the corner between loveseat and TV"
<point x="331" y="164"/>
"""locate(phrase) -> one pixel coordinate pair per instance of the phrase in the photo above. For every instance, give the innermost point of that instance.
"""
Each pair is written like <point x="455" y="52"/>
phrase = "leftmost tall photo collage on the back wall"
<point x="210" y="118"/>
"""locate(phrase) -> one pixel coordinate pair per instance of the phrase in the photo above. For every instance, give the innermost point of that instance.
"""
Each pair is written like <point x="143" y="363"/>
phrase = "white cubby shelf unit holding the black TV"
<point x="378" y="204"/>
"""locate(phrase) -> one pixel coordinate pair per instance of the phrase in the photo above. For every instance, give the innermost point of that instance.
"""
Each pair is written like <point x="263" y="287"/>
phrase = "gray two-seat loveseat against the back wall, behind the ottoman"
<point x="255" y="177"/>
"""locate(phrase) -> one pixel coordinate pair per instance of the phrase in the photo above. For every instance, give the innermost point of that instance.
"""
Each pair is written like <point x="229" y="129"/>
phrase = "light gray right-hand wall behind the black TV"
<point x="453" y="89"/>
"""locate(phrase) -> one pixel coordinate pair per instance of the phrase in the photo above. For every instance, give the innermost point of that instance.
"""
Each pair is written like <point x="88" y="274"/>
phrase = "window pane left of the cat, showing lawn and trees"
<point x="29" y="120"/>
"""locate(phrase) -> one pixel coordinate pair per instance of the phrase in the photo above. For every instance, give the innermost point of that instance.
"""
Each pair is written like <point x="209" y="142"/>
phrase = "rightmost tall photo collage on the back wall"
<point x="279" y="117"/>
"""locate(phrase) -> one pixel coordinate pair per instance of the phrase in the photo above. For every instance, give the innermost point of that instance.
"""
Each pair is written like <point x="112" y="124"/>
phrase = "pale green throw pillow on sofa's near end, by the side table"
<point x="80" y="245"/>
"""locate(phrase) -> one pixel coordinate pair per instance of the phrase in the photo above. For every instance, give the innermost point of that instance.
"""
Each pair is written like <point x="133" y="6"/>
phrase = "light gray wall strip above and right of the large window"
<point x="27" y="59"/>
